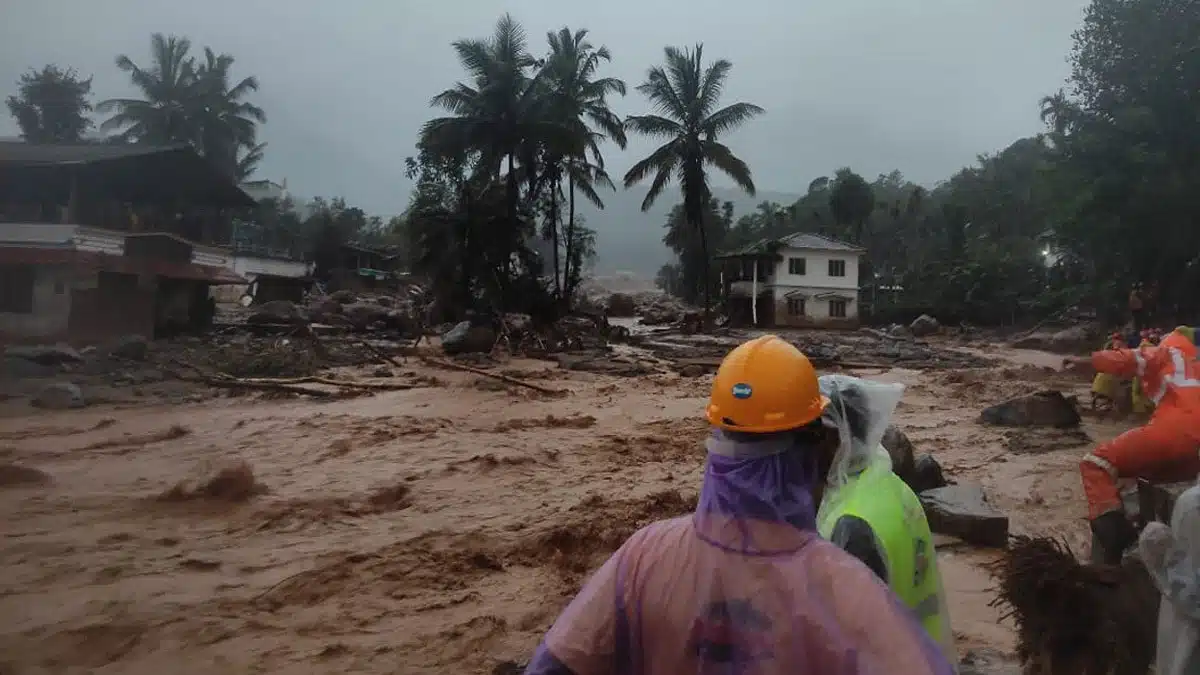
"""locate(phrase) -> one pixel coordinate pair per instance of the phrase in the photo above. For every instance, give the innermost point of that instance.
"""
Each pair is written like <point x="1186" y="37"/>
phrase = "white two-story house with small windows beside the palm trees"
<point x="803" y="279"/>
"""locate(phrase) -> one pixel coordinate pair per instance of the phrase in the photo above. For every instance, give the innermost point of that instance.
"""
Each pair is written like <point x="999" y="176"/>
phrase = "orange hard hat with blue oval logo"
<point x="765" y="386"/>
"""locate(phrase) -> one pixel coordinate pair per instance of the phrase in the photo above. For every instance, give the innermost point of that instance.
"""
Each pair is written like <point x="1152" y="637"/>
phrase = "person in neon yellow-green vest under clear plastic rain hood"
<point x="871" y="513"/>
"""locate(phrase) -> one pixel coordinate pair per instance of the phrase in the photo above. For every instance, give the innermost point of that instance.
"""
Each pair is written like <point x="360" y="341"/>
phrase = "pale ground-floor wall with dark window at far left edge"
<point x="35" y="302"/>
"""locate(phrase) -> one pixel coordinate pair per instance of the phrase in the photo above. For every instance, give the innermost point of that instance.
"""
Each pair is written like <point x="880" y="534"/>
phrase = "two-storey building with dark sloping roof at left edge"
<point x="103" y="241"/>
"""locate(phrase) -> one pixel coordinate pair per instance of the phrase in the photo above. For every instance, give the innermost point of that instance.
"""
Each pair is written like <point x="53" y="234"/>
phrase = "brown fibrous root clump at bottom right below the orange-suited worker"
<point x="1073" y="618"/>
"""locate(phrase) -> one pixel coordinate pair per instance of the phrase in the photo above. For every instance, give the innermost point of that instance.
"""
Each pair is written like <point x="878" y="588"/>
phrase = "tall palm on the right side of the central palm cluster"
<point x="578" y="101"/>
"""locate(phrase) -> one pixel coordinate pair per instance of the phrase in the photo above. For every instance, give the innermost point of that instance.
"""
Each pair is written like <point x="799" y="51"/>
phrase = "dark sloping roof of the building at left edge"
<point x="129" y="174"/>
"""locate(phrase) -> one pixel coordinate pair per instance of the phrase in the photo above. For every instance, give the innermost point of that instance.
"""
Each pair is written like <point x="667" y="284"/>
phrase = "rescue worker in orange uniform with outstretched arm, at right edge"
<point x="1166" y="450"/>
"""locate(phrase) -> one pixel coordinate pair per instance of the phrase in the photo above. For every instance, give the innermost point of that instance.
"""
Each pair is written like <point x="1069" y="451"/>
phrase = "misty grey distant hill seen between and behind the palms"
<point x="632" y="241"/>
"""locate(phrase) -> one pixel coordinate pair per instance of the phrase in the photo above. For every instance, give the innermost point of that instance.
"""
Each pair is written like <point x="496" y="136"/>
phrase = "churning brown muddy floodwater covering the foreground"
<point x="435" y="530"/>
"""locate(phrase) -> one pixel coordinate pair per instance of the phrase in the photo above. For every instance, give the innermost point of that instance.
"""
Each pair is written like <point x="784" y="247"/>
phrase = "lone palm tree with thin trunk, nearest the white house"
<point x="685" y="95"/>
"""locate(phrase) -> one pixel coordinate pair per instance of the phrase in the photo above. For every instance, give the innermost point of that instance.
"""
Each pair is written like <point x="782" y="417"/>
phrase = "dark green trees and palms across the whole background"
<point x="1108" y="196"/>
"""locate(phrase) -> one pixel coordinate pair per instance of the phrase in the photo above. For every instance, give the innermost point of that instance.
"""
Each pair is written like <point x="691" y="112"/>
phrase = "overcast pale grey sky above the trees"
<point x="874" y="85"/>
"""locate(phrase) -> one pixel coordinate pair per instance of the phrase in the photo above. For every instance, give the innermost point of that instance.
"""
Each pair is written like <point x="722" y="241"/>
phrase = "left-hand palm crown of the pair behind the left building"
<point x="164" y="116"/>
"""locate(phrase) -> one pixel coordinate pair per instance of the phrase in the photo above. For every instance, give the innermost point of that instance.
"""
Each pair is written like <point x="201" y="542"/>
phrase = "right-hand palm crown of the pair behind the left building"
<point x="226" y="122"/>
